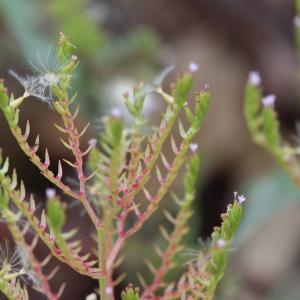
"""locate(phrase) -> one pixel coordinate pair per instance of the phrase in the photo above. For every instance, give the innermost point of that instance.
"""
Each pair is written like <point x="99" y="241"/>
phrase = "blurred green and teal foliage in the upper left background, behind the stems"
<point x="131" y="54"/>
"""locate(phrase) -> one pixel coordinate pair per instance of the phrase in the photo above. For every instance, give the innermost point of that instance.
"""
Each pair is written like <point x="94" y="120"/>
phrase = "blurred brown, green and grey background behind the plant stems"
<point x="122" y="42"/>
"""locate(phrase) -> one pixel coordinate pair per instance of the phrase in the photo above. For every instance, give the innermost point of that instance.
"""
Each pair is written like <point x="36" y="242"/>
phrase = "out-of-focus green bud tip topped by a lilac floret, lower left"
<point x="55" y="214"/>
